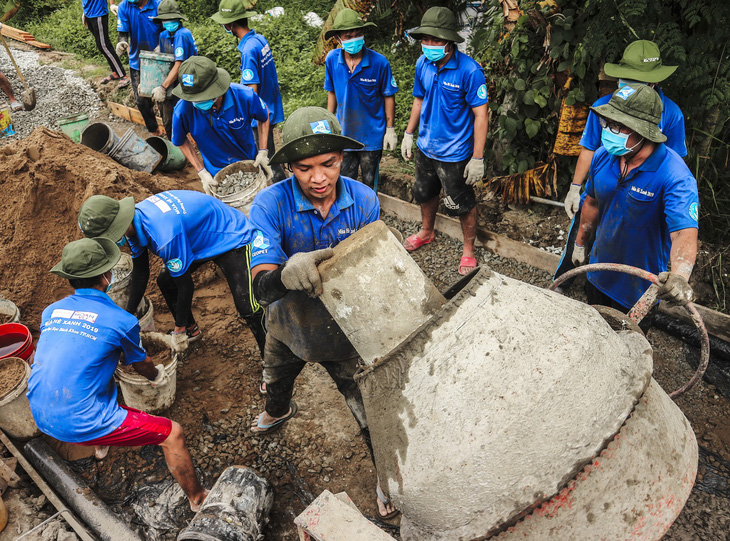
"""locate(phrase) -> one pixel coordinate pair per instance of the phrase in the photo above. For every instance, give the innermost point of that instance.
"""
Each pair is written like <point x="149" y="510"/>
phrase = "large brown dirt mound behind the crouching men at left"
<point x="44" y="179"/>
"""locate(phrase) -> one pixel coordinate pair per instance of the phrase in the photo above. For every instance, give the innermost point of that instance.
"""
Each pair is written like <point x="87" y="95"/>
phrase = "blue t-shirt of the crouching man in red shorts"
<point x="71" y="388"/>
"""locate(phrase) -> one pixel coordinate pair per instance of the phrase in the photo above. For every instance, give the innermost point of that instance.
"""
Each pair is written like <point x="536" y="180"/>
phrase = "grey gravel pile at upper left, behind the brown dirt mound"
<point x="59" y="93"/>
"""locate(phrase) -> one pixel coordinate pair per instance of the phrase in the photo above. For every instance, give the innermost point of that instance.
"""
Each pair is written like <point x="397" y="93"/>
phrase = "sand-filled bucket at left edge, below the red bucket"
<point x="16" y="418"/>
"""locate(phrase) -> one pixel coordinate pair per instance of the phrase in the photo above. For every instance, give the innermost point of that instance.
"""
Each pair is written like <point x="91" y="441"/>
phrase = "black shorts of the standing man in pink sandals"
<point x="433" y="175"/>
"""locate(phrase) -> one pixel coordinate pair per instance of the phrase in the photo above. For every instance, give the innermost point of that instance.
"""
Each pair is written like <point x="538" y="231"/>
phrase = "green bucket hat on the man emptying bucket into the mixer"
<point x="310" y="131"/>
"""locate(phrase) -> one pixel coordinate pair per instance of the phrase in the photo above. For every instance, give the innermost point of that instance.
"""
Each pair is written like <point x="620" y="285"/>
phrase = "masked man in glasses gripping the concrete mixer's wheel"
<point x="641" y="203"/>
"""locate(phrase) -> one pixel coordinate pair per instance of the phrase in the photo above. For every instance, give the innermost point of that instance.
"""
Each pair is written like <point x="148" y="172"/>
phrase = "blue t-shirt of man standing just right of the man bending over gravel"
<point x="258" y="68"/>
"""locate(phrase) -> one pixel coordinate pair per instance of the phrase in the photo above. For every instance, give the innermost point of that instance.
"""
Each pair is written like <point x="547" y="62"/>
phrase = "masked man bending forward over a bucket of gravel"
<point x="217" y="114"/>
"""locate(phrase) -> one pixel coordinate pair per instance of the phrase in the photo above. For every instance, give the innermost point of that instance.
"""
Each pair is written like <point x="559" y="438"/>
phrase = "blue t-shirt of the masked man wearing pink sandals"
<point x="446" y="128"/>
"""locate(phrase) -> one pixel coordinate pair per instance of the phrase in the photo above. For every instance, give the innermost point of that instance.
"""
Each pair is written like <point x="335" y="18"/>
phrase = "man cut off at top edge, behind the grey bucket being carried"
<point x="138" y="32"/>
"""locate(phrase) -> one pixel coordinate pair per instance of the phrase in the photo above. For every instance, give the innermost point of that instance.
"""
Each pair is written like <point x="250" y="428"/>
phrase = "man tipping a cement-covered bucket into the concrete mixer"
<point x="300" y="219"/>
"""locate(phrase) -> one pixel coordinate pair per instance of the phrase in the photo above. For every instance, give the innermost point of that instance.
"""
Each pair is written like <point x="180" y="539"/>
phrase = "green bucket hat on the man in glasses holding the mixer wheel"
<point x="637" y="107"/>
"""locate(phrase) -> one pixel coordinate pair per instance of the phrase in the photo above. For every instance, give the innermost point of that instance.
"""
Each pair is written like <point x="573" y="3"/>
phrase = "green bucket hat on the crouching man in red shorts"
<point x="87" y="258"/>
